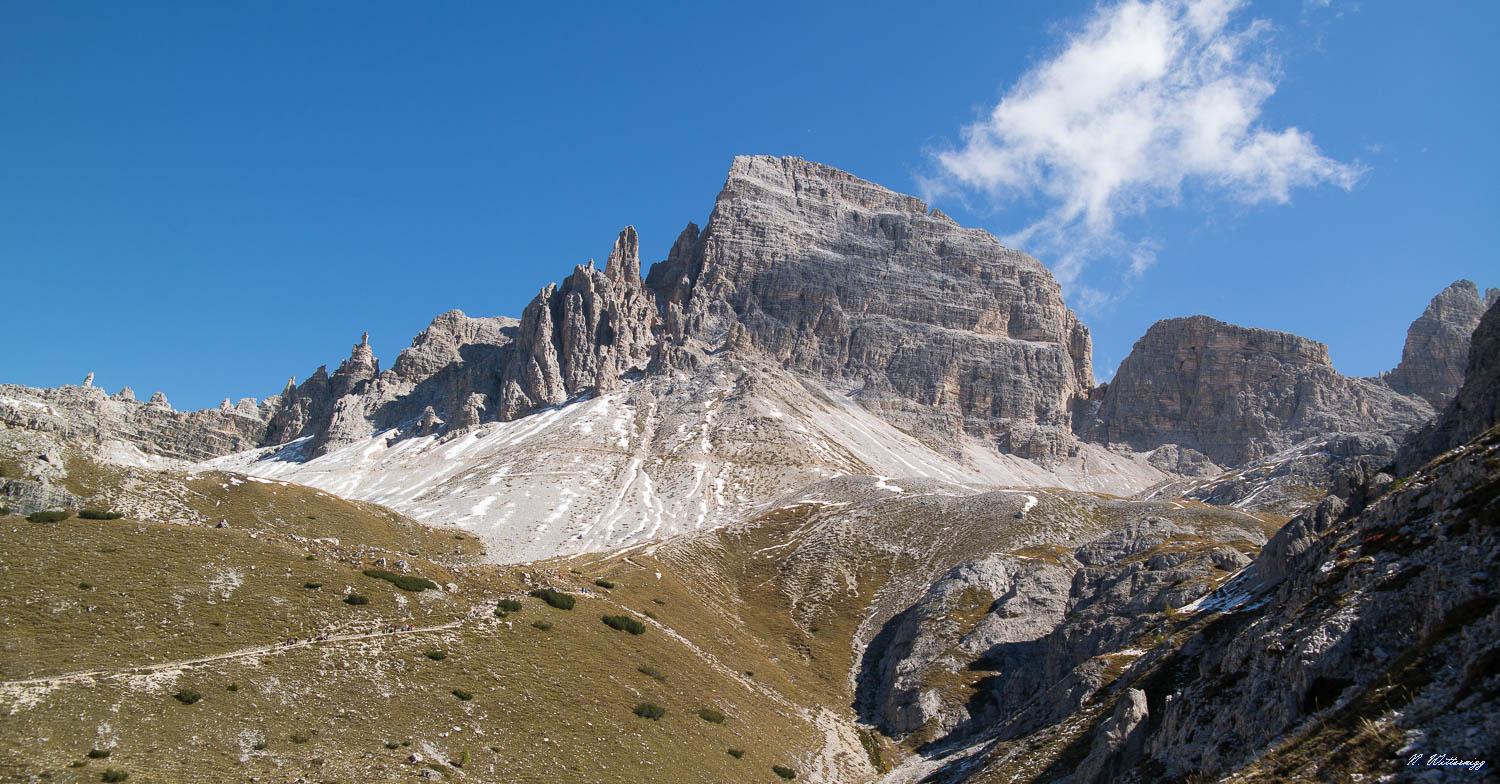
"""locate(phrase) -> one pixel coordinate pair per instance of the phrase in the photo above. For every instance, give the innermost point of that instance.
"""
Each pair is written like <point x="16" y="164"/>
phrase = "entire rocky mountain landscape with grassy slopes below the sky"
<point x="827" y="494"/>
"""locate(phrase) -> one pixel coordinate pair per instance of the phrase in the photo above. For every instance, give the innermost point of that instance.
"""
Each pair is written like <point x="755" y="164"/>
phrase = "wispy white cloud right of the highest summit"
<point x="1145" y="100"/>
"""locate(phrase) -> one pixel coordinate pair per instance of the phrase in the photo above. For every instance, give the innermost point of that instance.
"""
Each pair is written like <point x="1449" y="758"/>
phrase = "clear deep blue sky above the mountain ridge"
<point x="203" y="199"/>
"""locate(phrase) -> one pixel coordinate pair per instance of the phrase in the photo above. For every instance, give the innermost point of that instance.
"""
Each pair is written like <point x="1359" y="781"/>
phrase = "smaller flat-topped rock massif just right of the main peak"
<point x="1235" y="393"/>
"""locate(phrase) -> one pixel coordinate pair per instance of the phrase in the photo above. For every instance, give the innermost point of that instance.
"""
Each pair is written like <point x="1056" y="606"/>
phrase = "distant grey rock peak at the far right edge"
<point x="1436" y="352"/>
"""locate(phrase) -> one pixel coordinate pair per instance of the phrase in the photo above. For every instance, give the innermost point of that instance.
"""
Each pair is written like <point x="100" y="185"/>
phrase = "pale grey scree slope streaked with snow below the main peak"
<point x="659" y="456"/>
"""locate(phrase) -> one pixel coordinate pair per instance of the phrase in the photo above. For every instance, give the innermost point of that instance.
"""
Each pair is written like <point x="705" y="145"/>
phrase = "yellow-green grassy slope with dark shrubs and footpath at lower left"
<point x="547" y="705"/>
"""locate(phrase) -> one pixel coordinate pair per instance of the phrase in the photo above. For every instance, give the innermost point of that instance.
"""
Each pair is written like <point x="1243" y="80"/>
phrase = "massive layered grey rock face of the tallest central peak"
<point x="934" y="326"/>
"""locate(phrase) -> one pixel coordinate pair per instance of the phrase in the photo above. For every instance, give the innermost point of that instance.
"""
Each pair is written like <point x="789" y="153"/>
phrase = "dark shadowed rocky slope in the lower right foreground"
<point x="1361" y="641"/>
